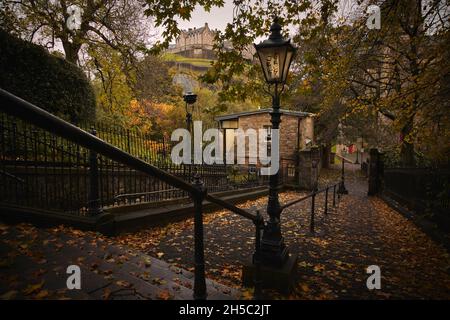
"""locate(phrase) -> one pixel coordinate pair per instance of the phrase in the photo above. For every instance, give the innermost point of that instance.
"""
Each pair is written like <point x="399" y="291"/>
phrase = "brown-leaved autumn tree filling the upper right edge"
<point x="401" y="71"/>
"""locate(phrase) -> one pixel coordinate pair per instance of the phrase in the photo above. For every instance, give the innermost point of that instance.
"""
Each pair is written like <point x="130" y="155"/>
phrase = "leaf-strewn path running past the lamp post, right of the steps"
<point x="360" y="232"/>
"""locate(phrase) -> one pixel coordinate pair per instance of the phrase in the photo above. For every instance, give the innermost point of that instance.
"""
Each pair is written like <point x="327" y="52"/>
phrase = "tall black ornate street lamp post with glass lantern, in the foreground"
<point x="275" y="55"/>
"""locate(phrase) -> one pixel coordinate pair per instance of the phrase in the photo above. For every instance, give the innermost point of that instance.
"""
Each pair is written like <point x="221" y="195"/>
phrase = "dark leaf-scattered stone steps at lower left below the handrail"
<point x="108" y="271"/>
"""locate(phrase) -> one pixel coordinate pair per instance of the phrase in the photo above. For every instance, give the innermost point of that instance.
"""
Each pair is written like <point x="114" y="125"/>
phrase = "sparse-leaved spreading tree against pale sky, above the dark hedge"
<point x="120" y="24"/>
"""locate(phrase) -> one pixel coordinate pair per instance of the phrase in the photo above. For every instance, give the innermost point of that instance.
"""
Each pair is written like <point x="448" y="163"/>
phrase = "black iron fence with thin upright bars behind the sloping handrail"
<point x="58" y="173"/>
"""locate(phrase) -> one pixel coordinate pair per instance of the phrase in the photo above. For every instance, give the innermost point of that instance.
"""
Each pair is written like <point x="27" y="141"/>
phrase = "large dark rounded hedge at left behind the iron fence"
<point x="50" y="82"/>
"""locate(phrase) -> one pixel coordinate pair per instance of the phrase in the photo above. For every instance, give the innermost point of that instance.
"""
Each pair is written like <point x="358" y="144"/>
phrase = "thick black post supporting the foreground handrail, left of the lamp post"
<point x="199" y="281"/>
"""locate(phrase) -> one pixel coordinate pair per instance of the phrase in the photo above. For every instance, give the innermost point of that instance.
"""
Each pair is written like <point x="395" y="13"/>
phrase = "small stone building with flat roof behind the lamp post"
<point x="296" y="130"/>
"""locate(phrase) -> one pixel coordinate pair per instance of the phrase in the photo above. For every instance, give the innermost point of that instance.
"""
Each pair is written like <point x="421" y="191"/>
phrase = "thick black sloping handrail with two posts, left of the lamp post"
<point x="26" y="111"/>
